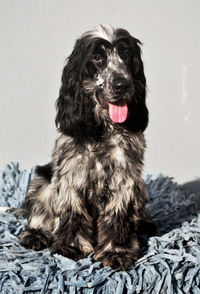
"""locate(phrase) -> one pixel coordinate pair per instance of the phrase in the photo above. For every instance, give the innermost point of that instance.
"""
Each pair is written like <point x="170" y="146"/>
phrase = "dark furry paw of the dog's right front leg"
<point x="117" y="260"/>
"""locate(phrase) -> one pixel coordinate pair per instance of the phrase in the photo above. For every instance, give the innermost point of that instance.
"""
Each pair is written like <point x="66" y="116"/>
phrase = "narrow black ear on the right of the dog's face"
<point x="138" y="120"/>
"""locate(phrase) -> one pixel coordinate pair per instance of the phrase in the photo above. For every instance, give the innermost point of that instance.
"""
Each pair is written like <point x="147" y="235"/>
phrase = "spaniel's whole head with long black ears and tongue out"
<point x="103" y="84"/>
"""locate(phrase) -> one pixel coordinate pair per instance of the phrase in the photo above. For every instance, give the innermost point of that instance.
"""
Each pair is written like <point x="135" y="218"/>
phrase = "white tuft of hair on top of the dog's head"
<point x="103" y="31"/>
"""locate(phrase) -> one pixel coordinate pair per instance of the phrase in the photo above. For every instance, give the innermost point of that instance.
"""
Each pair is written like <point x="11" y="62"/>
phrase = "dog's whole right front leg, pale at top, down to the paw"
<point x="118" y="244"/>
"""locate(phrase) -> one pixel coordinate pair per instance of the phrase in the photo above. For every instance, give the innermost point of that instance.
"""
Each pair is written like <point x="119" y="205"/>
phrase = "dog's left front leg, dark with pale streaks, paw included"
<point x="73" y="236"/>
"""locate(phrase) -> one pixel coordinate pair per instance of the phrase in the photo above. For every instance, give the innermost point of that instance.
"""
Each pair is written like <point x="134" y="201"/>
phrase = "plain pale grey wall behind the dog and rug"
<point x="36" y="36"/>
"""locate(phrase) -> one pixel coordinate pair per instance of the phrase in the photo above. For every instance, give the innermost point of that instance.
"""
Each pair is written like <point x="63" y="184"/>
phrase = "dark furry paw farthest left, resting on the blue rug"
<point x="35" y="239"/>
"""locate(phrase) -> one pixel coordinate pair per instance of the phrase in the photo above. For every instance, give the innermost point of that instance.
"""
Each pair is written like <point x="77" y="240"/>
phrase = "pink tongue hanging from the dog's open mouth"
<point x="118" y="113"/>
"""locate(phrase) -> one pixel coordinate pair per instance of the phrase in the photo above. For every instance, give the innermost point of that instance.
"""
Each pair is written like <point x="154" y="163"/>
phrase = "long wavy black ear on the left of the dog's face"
<point x="74" y="115"/>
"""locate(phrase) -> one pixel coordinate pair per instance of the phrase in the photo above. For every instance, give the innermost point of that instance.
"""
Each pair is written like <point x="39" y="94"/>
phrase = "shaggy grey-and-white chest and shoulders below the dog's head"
<point x="94" y="170"/>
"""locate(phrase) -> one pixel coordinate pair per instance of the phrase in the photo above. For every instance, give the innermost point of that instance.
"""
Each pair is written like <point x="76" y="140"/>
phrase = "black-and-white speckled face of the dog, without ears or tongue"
<point x="109" y="71"/>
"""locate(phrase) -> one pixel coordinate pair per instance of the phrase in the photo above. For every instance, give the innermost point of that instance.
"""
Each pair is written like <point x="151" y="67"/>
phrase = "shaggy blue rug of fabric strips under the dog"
<point x="170" y="262"/>
